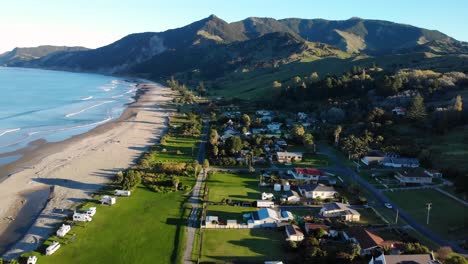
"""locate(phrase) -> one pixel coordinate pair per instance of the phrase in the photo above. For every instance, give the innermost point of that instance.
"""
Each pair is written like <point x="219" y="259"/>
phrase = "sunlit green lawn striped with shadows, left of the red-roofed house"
<point x="241" y="187"/>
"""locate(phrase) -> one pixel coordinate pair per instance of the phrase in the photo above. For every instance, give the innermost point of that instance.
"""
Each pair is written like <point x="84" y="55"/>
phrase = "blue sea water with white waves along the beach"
<point x="55" y="105"/>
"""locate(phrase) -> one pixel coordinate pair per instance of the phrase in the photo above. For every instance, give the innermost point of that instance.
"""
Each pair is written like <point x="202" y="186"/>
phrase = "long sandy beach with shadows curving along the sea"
<point x="81" y="165"/>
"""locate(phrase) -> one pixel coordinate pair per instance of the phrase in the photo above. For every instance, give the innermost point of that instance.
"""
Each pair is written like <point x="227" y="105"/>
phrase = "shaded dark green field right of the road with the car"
<point x="447" y="216"/>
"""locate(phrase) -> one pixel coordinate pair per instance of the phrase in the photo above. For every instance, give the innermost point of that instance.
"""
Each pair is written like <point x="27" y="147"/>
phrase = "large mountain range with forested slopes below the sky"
<point x="218" y="41"/>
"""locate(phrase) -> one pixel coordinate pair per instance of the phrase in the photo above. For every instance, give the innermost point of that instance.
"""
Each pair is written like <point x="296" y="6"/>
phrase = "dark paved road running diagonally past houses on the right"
<point x="340" y="168"/>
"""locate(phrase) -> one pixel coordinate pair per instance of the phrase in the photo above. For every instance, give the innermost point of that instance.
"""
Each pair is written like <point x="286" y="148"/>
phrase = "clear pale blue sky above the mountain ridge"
<point x="95" y="23"/>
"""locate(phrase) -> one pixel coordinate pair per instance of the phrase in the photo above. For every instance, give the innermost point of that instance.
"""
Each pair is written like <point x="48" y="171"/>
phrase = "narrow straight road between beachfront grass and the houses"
<point x="194" y="200"/>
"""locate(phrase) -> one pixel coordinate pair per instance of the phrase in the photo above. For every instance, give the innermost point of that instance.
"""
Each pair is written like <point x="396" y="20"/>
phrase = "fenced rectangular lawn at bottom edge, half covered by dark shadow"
<point x="242" y="245"/>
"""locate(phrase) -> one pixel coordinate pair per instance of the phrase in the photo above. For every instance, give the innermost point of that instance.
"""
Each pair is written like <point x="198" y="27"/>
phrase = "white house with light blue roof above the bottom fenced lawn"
<point x="267" y="217"/>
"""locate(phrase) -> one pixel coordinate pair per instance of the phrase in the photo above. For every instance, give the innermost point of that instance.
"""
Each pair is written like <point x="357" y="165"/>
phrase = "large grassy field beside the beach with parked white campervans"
<point x="130" y="231"/>
